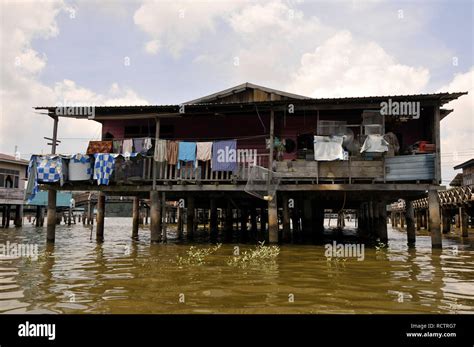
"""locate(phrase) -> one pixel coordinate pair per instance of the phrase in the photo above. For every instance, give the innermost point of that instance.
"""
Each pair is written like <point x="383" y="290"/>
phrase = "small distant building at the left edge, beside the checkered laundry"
<point x="13" y="173"/>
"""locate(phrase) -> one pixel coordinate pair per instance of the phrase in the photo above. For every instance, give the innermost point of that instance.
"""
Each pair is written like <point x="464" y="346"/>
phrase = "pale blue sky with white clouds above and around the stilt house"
<point x="168" y="52"/>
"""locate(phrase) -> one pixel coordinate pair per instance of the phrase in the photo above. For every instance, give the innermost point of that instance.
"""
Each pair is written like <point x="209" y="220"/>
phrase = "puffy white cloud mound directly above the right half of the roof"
<point x="344" y="66"/>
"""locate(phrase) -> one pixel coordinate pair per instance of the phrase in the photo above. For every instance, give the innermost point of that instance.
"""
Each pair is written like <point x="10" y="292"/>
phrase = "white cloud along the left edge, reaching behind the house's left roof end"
<point x="21" y="89"/>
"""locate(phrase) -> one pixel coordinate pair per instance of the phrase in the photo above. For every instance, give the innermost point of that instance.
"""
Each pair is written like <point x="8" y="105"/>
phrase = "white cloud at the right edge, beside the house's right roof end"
<point x="457" y="130"/>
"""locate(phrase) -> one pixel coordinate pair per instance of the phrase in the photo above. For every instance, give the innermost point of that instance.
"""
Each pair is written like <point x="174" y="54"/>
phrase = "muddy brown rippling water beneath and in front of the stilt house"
<point x="78" y="275"/>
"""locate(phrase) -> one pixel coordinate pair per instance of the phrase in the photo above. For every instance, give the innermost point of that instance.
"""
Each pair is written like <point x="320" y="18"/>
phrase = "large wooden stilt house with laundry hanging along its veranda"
<point x="273" y="160"/>
